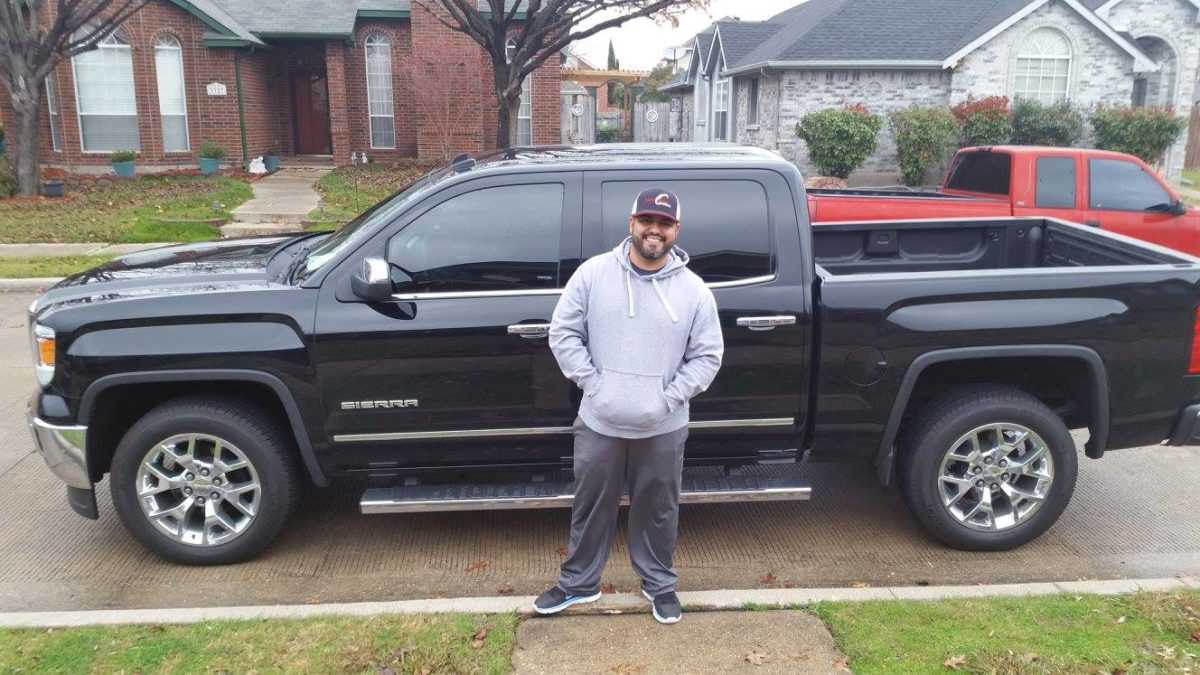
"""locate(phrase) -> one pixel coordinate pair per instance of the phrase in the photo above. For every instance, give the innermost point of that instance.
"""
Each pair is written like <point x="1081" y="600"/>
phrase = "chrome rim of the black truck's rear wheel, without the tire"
<point x="997" y="477"/>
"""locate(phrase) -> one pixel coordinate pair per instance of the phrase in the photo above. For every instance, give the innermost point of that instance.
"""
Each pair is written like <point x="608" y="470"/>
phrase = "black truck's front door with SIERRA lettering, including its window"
<point x="457" y="369"/>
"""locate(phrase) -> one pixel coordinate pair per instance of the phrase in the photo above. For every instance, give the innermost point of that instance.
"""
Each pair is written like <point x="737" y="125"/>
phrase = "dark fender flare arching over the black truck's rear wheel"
<point x="886" y="456"/>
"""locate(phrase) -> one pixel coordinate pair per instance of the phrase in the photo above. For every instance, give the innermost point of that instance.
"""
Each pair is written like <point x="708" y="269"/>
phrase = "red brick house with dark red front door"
<point x="325" y="79"/>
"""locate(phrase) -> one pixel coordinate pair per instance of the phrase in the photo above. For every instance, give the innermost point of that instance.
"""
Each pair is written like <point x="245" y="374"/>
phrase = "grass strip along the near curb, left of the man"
<point x="447" y="643"/>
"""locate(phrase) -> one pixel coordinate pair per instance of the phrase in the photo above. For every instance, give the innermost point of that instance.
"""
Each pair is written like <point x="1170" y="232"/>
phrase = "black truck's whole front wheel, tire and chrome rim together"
<point x="206" y="481"/>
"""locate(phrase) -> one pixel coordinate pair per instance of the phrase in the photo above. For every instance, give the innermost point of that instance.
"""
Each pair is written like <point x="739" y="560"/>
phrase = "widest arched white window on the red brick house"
<point x="105" y="100"/>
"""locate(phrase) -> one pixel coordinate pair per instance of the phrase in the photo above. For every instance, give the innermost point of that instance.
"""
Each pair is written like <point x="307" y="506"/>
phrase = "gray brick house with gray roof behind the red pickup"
<point x="752" y="82"/>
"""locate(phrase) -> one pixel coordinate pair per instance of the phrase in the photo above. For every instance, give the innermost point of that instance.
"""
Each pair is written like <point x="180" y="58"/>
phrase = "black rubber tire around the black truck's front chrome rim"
<point x="254" y="432"/>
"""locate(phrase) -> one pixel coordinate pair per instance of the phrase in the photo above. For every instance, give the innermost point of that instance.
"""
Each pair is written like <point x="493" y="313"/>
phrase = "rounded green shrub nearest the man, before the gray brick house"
<point x="841" y="140"/>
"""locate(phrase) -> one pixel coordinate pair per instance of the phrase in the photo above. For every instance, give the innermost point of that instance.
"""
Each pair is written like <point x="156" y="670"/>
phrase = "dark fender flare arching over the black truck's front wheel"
<point x="87" y="404"/>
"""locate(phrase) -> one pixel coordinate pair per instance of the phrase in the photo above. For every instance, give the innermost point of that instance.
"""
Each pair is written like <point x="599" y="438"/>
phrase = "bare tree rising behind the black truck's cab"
<point x="519" y="46"/>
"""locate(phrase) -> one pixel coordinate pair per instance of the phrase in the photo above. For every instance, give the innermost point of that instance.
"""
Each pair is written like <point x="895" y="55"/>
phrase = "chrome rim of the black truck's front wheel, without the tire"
<point x="199" y="489"/>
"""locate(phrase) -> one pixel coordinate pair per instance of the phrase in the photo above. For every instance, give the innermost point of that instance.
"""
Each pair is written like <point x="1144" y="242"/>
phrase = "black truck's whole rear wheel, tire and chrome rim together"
<point x="988" y="469"/>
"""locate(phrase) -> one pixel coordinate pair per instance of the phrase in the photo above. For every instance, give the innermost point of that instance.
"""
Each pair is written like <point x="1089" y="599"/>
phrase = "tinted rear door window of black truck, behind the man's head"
<point x="725" y="225"/>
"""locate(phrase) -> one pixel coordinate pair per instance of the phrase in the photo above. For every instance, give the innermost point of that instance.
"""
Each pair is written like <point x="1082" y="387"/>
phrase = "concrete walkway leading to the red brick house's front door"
<point x="280" y="205"/>
